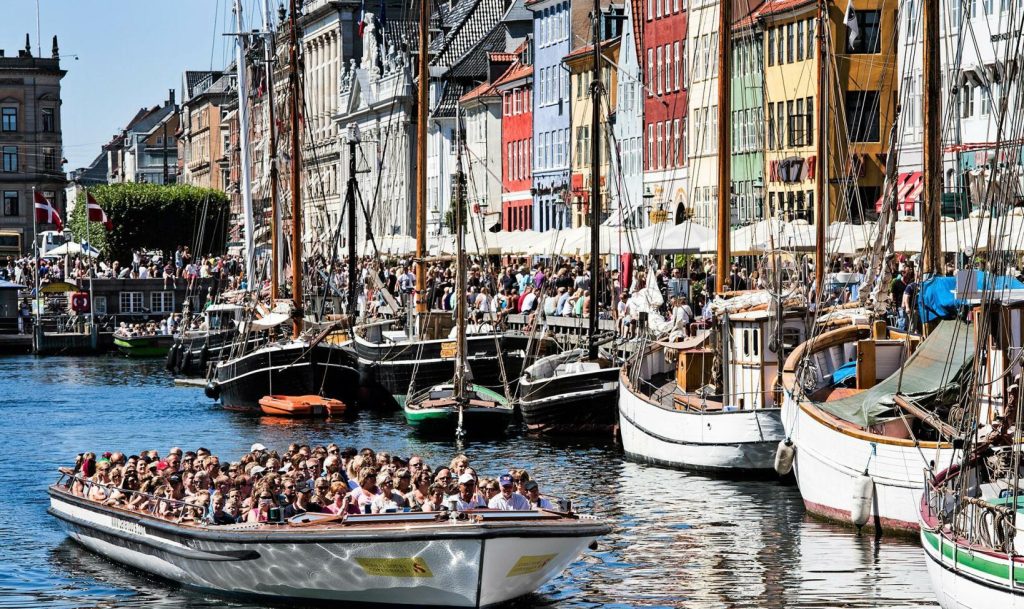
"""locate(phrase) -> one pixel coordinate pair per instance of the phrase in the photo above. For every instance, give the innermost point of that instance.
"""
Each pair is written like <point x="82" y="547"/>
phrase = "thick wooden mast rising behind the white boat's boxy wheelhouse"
<point x="722" y="263"/>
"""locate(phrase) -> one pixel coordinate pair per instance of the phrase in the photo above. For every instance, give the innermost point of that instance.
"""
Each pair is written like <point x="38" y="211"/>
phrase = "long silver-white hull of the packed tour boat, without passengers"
<point x="426" y="559"/>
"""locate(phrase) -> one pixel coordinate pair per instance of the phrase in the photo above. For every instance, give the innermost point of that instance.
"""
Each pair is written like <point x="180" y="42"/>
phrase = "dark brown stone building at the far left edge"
<point x="30" y="138"/>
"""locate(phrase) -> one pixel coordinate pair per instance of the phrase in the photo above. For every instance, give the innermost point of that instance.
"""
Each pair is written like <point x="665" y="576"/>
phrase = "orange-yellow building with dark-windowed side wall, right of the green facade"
<point x="862" y="101"/>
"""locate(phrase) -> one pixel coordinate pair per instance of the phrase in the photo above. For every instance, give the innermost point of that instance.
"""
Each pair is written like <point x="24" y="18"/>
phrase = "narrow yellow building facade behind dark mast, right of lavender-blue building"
<point x="580" y="64"/>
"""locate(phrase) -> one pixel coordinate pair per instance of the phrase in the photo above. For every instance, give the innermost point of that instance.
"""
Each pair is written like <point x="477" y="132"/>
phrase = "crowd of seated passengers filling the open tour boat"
<point x="198" y="487"/>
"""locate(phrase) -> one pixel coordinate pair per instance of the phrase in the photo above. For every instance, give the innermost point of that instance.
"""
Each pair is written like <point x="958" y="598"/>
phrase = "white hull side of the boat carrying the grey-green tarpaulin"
<point x="830" y="462"/>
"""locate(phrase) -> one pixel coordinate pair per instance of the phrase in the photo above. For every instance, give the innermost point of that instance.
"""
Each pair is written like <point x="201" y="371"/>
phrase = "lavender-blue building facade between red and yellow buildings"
<point x="552" y="41"/>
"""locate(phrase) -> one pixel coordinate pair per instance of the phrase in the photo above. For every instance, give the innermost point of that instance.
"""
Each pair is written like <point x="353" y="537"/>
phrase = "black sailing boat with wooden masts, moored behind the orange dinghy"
<point x="288" y="367"/>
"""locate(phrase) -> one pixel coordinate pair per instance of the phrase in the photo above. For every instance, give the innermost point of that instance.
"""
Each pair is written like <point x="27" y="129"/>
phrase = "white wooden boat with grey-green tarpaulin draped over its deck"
<point x="860" y="457"/>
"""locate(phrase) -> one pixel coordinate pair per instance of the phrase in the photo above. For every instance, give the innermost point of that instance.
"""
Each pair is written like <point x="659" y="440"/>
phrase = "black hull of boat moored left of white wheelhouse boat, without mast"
<point x="570" y="395"/>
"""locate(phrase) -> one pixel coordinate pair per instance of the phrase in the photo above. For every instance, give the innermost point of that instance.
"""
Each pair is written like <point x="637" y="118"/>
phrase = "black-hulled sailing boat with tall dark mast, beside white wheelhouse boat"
<point x="575" y="393"/>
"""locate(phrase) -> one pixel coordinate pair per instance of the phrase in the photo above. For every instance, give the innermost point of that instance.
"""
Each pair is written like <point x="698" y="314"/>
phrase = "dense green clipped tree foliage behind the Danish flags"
<point x="154" y="217"/>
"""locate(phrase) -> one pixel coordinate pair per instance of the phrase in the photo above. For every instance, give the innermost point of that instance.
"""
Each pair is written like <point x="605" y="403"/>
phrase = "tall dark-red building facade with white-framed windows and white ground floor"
<point x="664" y="58"/>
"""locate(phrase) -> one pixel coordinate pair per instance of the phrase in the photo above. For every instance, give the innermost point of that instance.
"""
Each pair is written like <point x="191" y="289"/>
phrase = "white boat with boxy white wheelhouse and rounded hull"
<point x="670" y="414"/>
